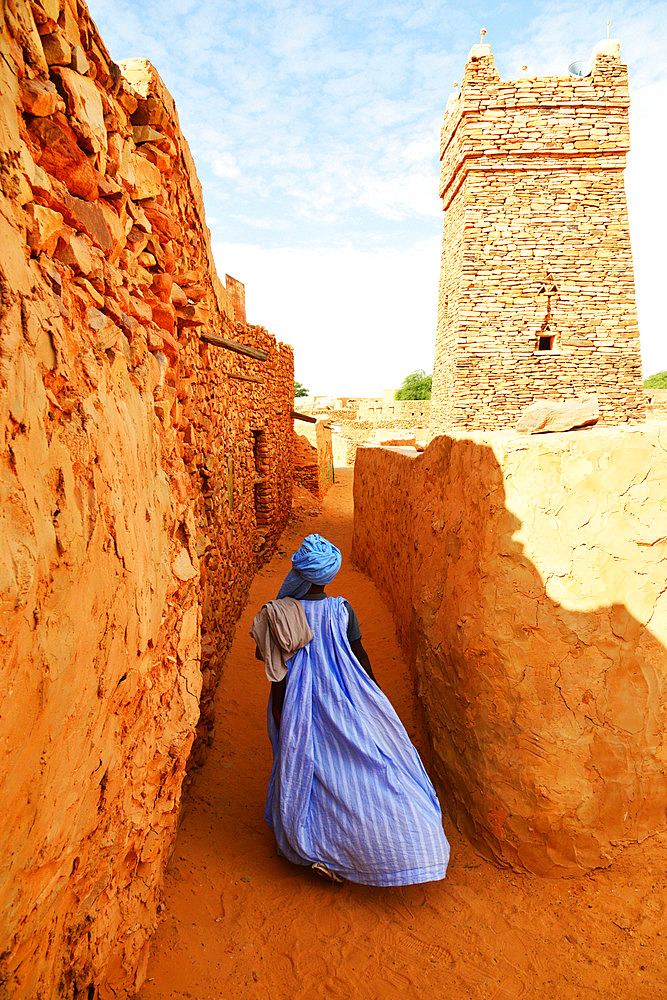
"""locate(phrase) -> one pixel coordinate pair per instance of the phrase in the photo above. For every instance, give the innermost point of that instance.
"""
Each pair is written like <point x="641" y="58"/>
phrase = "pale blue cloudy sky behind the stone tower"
<point x="315" y="130"/>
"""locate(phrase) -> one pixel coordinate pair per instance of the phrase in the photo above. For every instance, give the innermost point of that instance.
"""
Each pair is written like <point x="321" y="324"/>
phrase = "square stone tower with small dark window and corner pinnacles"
<point x="536" y="247"/>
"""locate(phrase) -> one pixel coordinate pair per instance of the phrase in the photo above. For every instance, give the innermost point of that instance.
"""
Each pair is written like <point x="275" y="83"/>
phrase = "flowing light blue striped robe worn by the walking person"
<point x="347" y="786"/>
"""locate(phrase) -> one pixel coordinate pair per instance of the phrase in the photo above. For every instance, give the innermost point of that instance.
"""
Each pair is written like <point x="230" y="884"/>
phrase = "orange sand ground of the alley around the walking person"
<point x="240" y="922"/>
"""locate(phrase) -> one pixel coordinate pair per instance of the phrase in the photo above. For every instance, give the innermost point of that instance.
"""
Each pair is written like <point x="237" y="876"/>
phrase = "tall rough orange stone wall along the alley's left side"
<point x="143" y="477"/>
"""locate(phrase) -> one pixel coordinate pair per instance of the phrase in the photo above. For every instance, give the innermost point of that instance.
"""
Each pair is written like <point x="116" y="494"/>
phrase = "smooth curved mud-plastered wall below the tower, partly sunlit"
<point x="528" y="579"/>
